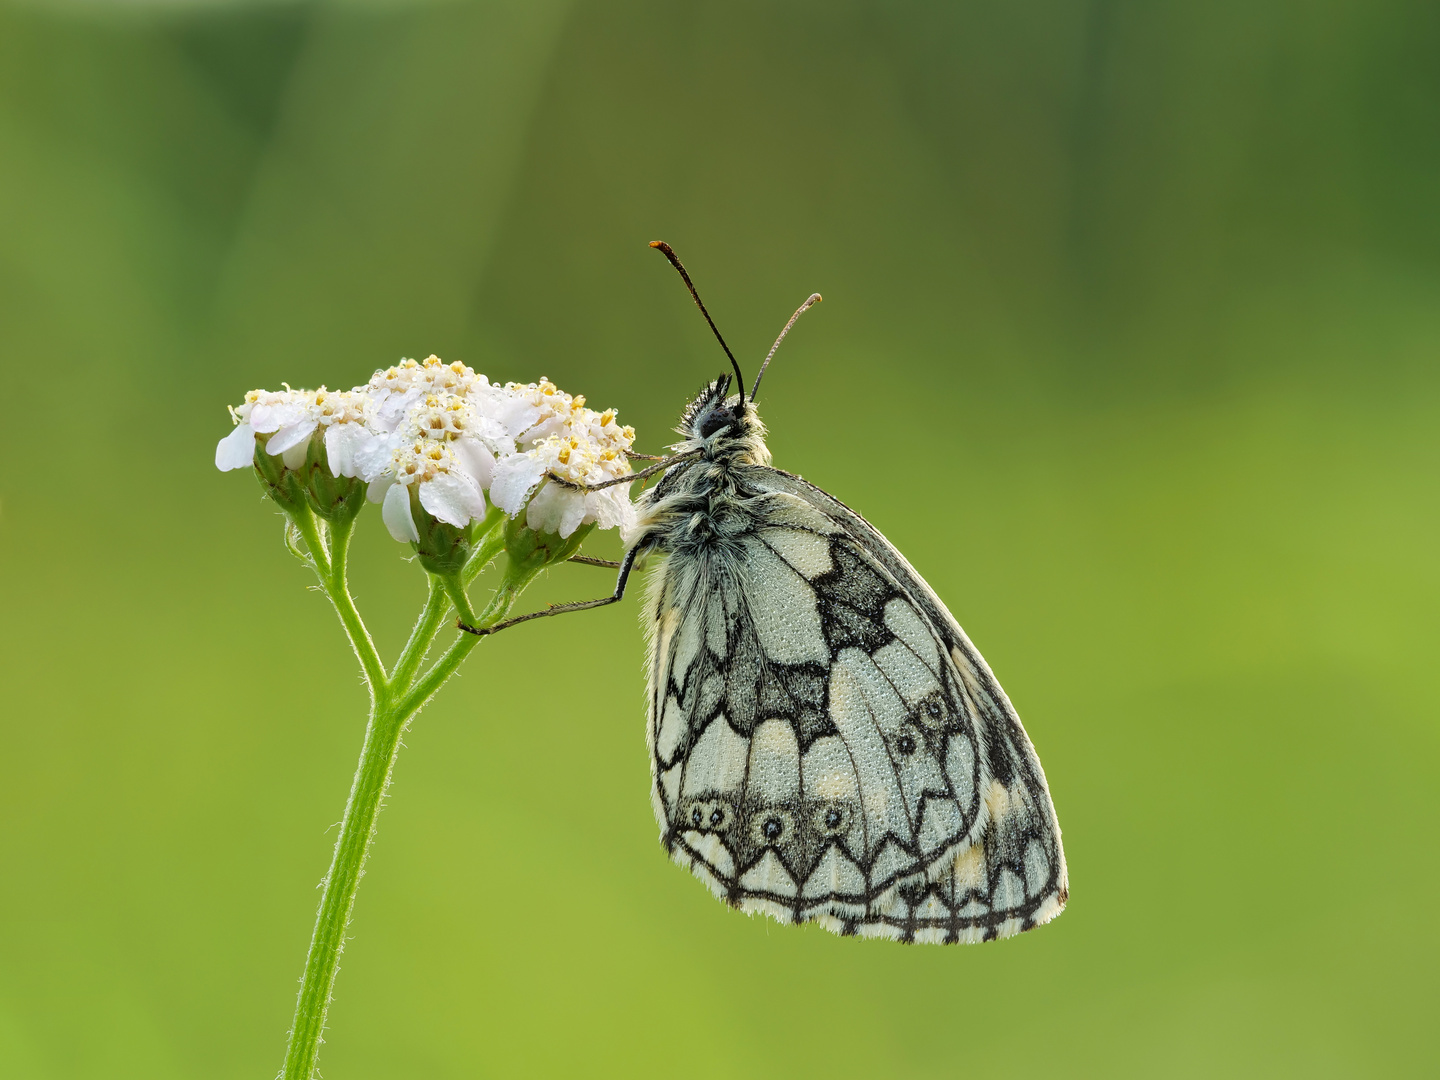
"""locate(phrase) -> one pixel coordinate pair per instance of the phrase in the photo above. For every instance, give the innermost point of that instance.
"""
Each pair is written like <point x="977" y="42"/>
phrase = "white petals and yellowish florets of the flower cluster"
<point x="450" y="436"/>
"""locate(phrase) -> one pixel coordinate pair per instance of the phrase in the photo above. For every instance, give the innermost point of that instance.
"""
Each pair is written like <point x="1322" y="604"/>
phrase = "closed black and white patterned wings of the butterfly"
<point x="826" y="742"/>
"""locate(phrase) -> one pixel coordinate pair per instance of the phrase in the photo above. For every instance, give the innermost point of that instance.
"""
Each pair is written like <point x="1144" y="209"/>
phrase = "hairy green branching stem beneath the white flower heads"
<point x="394" y="703"/>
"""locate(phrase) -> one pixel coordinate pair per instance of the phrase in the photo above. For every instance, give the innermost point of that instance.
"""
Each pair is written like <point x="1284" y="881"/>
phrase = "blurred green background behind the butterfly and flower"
<point x="1130" y="342"/>
